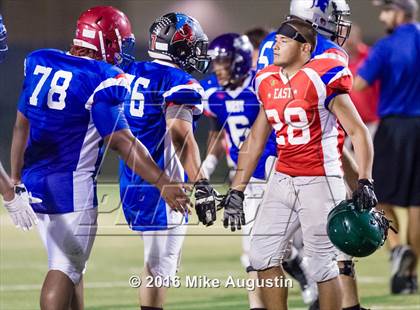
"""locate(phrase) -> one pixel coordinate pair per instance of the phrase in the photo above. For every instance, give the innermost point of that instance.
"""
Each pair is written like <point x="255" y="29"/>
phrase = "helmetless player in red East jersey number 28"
<point x="302" y="100"/>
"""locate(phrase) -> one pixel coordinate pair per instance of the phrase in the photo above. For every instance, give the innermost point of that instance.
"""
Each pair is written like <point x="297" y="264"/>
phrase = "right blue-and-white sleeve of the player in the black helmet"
<point x="186" y="90"/>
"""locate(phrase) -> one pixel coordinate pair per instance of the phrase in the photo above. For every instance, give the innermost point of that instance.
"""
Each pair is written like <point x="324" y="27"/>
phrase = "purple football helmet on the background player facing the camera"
<point x="236" y="50"/>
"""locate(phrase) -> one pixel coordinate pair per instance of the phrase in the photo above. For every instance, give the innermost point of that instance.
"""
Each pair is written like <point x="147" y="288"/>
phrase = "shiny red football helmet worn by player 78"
<point x="107" y="31"/>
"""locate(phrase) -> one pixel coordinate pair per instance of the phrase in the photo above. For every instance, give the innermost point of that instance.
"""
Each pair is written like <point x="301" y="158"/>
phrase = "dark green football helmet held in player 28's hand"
<point x="355" y="232"/>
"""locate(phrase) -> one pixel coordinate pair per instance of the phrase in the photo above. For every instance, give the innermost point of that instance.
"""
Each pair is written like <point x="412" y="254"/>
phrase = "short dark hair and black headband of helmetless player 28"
<point x="300" y="31"/>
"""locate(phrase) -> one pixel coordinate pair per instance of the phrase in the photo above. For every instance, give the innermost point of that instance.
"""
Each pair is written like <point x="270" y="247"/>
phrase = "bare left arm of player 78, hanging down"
<point x="19" y="141"/>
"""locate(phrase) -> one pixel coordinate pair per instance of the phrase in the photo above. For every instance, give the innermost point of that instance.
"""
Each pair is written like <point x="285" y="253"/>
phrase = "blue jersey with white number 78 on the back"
<point x="71" y="104"/>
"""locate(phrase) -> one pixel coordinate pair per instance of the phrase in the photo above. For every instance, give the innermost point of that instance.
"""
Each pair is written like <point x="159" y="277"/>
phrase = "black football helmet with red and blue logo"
<point x="180" y="39"/>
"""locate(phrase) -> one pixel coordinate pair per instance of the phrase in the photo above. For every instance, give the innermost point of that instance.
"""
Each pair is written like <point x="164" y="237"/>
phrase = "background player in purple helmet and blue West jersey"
<point x="232" y="107"/>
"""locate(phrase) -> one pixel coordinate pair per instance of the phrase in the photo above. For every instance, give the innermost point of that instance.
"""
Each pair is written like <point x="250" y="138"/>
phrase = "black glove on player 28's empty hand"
<point x="233" y="215"/>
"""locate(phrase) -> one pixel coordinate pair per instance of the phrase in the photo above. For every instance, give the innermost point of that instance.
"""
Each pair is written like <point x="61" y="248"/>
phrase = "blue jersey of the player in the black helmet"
<point x="154" y="86"/>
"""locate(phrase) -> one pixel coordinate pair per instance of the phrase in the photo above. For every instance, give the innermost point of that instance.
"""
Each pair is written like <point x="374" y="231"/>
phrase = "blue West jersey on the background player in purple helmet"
<point x="236" y="111"/>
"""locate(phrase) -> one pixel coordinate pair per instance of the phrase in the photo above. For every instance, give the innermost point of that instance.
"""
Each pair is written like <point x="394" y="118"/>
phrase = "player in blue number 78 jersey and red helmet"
<point x="71" y="106"/>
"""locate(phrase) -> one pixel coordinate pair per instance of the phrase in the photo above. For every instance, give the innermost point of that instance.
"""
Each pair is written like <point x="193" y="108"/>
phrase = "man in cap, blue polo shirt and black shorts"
<point x="393" y="62"/>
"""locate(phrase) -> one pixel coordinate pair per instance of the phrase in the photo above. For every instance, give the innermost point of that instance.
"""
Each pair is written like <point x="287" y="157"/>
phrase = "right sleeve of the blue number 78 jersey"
<point x="106" y="104"/>
